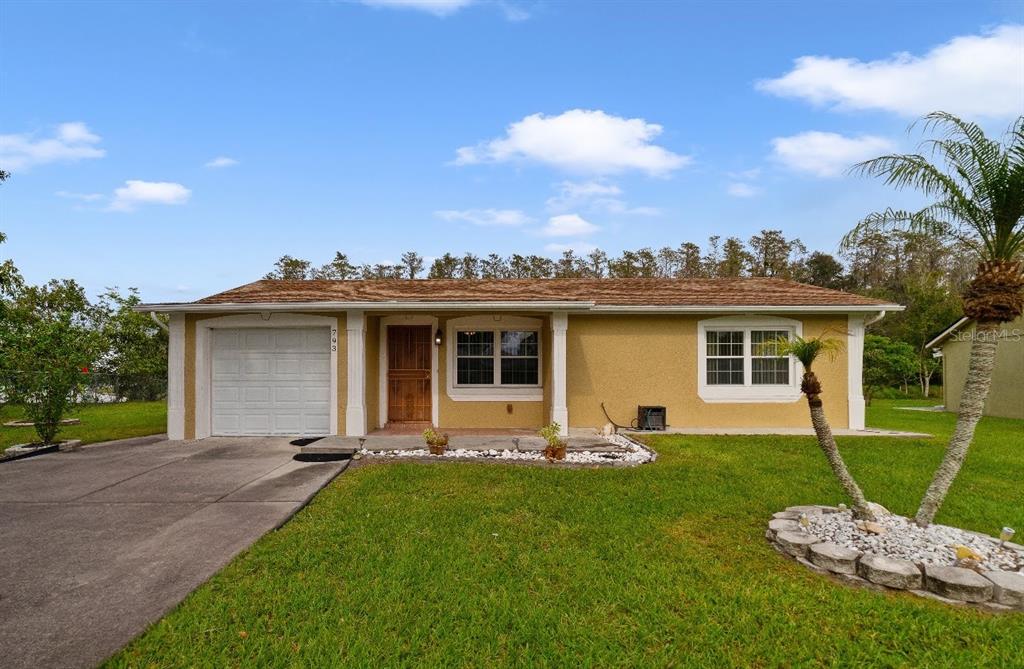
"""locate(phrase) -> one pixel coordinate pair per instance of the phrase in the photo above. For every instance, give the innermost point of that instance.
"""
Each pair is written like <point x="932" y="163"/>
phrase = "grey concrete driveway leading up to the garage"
<point x="99" y="543"/>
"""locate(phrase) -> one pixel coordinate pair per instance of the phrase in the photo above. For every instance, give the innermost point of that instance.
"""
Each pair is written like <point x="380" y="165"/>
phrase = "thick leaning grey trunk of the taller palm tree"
<point x="979" y="379"/>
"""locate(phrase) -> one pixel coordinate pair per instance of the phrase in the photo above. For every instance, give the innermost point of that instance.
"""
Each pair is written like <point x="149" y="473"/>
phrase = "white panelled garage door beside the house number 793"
<point x="272" y="382"/>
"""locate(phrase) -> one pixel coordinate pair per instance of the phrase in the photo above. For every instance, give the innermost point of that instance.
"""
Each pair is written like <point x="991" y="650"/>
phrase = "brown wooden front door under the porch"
<point x="409" y="350"/>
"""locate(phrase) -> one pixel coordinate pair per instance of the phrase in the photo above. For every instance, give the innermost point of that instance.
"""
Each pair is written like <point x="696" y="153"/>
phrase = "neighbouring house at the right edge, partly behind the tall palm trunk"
<point x="1005" y="397"/>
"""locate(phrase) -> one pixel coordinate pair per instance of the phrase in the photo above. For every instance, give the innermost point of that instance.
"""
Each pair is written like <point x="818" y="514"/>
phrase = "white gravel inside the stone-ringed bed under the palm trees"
<point x="905" y="540"/>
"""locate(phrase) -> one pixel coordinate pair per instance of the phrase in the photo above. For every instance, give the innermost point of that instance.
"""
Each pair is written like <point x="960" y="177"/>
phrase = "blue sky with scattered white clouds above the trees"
<point x="377" y="128"/>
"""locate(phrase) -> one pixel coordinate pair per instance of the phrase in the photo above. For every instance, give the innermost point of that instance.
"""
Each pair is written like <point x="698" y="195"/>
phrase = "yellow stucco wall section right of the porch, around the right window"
<point x="626" y="361"/>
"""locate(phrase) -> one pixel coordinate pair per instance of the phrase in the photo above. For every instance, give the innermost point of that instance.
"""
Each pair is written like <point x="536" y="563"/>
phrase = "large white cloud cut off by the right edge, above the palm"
<point x="971" y="75"/>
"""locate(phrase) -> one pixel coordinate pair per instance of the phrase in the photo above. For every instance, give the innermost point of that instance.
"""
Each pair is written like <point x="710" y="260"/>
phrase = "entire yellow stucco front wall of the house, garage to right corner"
<point x="623" y="361"/>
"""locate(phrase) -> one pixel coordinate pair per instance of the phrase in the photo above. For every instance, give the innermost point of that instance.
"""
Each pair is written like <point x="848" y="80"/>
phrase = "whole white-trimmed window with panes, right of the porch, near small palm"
<point x="740" y="361"/>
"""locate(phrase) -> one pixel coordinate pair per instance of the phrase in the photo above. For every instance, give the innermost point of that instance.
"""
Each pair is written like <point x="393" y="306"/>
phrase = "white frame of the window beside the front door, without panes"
<point x="495" y="392"/>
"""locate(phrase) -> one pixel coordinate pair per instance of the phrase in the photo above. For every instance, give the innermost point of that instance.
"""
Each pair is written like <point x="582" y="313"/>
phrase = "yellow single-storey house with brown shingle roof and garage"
<point x="316" y="358"/>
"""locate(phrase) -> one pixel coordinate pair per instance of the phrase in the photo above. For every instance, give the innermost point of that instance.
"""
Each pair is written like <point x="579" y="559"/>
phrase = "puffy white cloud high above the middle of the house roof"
<point x="582" y="141"/>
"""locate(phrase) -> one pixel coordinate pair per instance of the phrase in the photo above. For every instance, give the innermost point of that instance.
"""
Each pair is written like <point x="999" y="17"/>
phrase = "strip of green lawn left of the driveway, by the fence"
<point x="100" y="424"/>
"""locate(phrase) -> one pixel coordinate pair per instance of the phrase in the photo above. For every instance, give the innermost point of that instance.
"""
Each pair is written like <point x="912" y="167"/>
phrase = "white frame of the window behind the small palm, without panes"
<point x="749" y="392"/>
